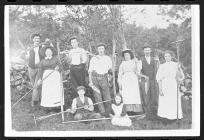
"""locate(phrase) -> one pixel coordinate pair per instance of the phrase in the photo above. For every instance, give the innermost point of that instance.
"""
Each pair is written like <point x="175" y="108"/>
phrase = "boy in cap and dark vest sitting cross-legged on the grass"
<point x="85" y="105"/>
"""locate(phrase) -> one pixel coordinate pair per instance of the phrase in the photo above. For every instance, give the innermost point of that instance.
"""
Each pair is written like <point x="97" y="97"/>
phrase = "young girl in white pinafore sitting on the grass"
<point x="120" y="117"/>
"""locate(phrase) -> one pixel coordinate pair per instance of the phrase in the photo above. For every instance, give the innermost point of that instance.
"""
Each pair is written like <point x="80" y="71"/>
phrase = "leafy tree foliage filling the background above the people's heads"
<point x="99" y="23"/>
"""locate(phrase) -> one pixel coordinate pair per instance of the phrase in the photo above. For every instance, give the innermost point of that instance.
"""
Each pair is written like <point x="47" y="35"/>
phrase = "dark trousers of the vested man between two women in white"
<point x="150" y="99"/>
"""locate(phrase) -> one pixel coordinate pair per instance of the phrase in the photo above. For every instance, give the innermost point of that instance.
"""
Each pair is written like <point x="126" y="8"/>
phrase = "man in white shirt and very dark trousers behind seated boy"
<point x="77" y="58"/>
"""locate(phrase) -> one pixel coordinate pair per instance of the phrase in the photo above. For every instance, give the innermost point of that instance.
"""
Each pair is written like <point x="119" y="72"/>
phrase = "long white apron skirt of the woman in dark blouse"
<point x="51" y="90"/>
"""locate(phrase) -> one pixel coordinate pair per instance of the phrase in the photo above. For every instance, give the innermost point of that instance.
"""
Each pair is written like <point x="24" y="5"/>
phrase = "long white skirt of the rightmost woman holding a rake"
<point x="168" y="103"/>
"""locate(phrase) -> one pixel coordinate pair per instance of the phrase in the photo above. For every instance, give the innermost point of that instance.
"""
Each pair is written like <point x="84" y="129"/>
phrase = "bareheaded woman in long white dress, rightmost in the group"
<point x="167" y="76"/>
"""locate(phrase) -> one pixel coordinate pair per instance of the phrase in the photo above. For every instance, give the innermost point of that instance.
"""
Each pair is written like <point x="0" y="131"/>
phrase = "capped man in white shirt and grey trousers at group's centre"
<point x="98" y="72"/>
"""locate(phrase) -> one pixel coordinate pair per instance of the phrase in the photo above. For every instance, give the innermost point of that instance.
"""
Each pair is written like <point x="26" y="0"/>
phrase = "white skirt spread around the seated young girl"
<point x="121" y="121"/>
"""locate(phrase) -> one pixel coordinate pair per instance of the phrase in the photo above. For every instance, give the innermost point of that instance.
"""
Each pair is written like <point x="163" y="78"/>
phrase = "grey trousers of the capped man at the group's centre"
<point x="101" y="82"/>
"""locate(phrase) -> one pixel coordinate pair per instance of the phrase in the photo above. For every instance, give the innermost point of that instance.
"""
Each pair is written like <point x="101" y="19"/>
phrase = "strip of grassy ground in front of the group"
<point x="22" y="120"/>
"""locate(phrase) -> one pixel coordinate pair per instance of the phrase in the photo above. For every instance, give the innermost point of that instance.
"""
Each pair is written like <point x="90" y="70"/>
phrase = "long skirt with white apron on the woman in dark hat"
<point x="131" y="92"/>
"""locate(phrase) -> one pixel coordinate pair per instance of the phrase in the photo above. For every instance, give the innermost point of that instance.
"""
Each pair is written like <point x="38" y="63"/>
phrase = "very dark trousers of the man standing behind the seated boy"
<point x="77" y="76"/>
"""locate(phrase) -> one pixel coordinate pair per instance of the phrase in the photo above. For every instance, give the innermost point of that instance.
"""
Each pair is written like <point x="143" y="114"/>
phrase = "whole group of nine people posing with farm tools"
<point x="145" y="86"/>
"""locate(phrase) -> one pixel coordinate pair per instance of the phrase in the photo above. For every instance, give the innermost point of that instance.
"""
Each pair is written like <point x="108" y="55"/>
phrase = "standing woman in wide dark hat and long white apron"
<point x="128" y="83"/>
